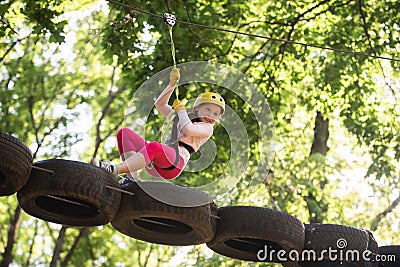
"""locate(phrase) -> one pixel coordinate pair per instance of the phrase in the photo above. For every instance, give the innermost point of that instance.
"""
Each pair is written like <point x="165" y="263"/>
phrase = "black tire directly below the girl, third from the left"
<point x="147" y="218"/>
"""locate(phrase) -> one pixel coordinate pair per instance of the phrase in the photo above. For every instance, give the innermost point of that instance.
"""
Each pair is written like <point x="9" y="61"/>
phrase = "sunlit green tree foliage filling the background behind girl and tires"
<point x="69" y="101"/>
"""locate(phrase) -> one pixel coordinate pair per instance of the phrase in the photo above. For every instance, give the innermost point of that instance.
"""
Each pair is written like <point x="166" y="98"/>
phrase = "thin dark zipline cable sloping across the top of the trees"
<point x="260" y="36"/>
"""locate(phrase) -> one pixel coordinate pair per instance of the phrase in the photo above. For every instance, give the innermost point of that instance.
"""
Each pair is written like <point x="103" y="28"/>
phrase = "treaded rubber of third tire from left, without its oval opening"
<point x="200" y="218"/>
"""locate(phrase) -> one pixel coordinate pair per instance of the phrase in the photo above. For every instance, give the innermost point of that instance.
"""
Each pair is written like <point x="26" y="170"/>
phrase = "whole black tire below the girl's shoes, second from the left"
<point x="74" y="195"/>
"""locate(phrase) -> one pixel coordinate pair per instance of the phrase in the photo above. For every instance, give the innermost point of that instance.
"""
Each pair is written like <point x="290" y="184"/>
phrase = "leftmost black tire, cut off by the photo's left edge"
<point x="15" y="164"/>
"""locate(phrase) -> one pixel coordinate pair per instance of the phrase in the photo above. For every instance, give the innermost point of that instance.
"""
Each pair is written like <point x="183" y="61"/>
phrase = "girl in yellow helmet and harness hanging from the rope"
<point x="189" y="132"/>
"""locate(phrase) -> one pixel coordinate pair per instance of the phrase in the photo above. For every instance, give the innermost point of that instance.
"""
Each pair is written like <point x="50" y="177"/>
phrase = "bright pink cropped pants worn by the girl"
<point x="162" y="156"/>
